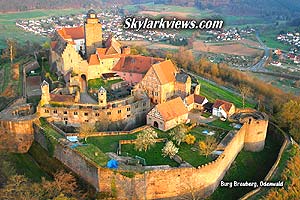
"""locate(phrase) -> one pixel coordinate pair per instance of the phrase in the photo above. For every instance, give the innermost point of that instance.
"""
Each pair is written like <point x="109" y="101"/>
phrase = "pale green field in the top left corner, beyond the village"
<point x="8" y="28"/>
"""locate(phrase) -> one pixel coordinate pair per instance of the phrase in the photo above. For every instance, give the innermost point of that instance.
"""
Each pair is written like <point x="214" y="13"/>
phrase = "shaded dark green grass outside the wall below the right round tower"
<point x="249" y="166"/>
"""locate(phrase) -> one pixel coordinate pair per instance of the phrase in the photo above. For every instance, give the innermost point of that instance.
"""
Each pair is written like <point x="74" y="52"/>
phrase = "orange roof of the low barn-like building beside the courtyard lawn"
<point x="172" y="109"/>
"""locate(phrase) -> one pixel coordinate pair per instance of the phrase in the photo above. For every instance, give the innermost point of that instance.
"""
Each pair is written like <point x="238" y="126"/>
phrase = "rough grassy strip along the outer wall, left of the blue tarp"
<point x="93" y="153"/>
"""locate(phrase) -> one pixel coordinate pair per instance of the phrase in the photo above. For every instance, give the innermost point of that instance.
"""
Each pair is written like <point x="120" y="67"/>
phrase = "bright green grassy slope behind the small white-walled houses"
<point x="213" y="92"/>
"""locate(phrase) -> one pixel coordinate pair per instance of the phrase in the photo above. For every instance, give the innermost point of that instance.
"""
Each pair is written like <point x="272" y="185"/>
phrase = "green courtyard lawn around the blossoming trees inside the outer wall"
<point x="153" y="156"/>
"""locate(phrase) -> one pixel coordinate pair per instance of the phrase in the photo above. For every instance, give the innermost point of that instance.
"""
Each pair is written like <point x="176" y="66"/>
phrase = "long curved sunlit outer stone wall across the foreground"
<point x="158" y="183"/>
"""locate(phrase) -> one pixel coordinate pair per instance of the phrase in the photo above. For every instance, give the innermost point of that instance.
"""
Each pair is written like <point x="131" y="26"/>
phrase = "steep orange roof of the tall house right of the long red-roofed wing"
<point x="165" y="71"/>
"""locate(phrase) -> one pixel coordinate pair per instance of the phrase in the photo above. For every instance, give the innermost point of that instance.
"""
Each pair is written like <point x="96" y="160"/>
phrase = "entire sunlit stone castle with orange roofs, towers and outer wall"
<point x="135" y="90"/>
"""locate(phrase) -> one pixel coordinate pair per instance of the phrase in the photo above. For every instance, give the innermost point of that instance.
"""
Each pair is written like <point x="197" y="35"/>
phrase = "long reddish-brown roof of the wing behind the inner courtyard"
<point x="135" y="64"/>
